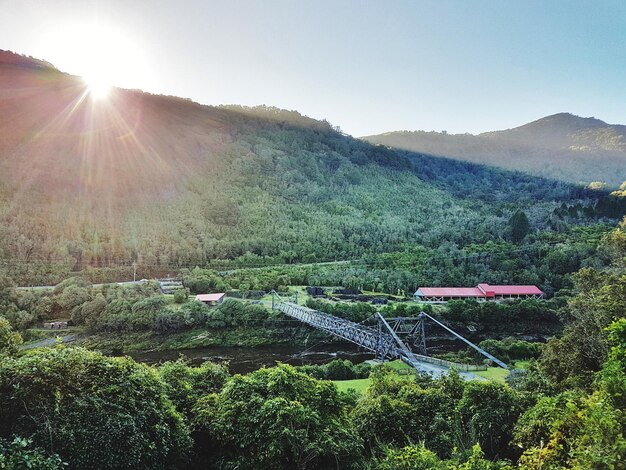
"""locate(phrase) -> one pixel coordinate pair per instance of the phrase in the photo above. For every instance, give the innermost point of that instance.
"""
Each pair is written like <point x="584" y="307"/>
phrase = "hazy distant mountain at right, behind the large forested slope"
<point x="561" y="146"/>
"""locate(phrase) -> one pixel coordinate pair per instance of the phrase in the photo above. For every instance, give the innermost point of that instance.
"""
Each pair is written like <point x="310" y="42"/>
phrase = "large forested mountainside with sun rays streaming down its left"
<point x="165" y="182"/>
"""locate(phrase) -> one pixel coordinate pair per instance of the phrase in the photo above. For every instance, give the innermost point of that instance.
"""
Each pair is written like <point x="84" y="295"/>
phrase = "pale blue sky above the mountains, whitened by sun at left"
<point x="365" y="66"/>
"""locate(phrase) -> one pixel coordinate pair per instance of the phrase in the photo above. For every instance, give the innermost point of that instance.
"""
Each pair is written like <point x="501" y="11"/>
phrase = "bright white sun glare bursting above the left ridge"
<point x="101" y="54"/>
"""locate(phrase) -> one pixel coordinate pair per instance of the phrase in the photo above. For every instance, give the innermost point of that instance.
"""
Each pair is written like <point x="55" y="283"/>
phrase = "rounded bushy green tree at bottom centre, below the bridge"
<point x="277" y="418"/>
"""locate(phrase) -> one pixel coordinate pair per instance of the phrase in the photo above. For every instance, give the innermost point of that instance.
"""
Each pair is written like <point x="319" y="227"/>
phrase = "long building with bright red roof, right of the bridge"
<point x="483" y="292"/>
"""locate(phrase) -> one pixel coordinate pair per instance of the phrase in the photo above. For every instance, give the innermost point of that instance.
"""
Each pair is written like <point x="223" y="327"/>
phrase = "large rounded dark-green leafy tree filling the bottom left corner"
<point x="96" y="412"/>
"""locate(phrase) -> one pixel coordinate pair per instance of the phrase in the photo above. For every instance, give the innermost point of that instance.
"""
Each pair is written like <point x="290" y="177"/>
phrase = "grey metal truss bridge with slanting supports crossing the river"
<point x="384" y="340"/>
